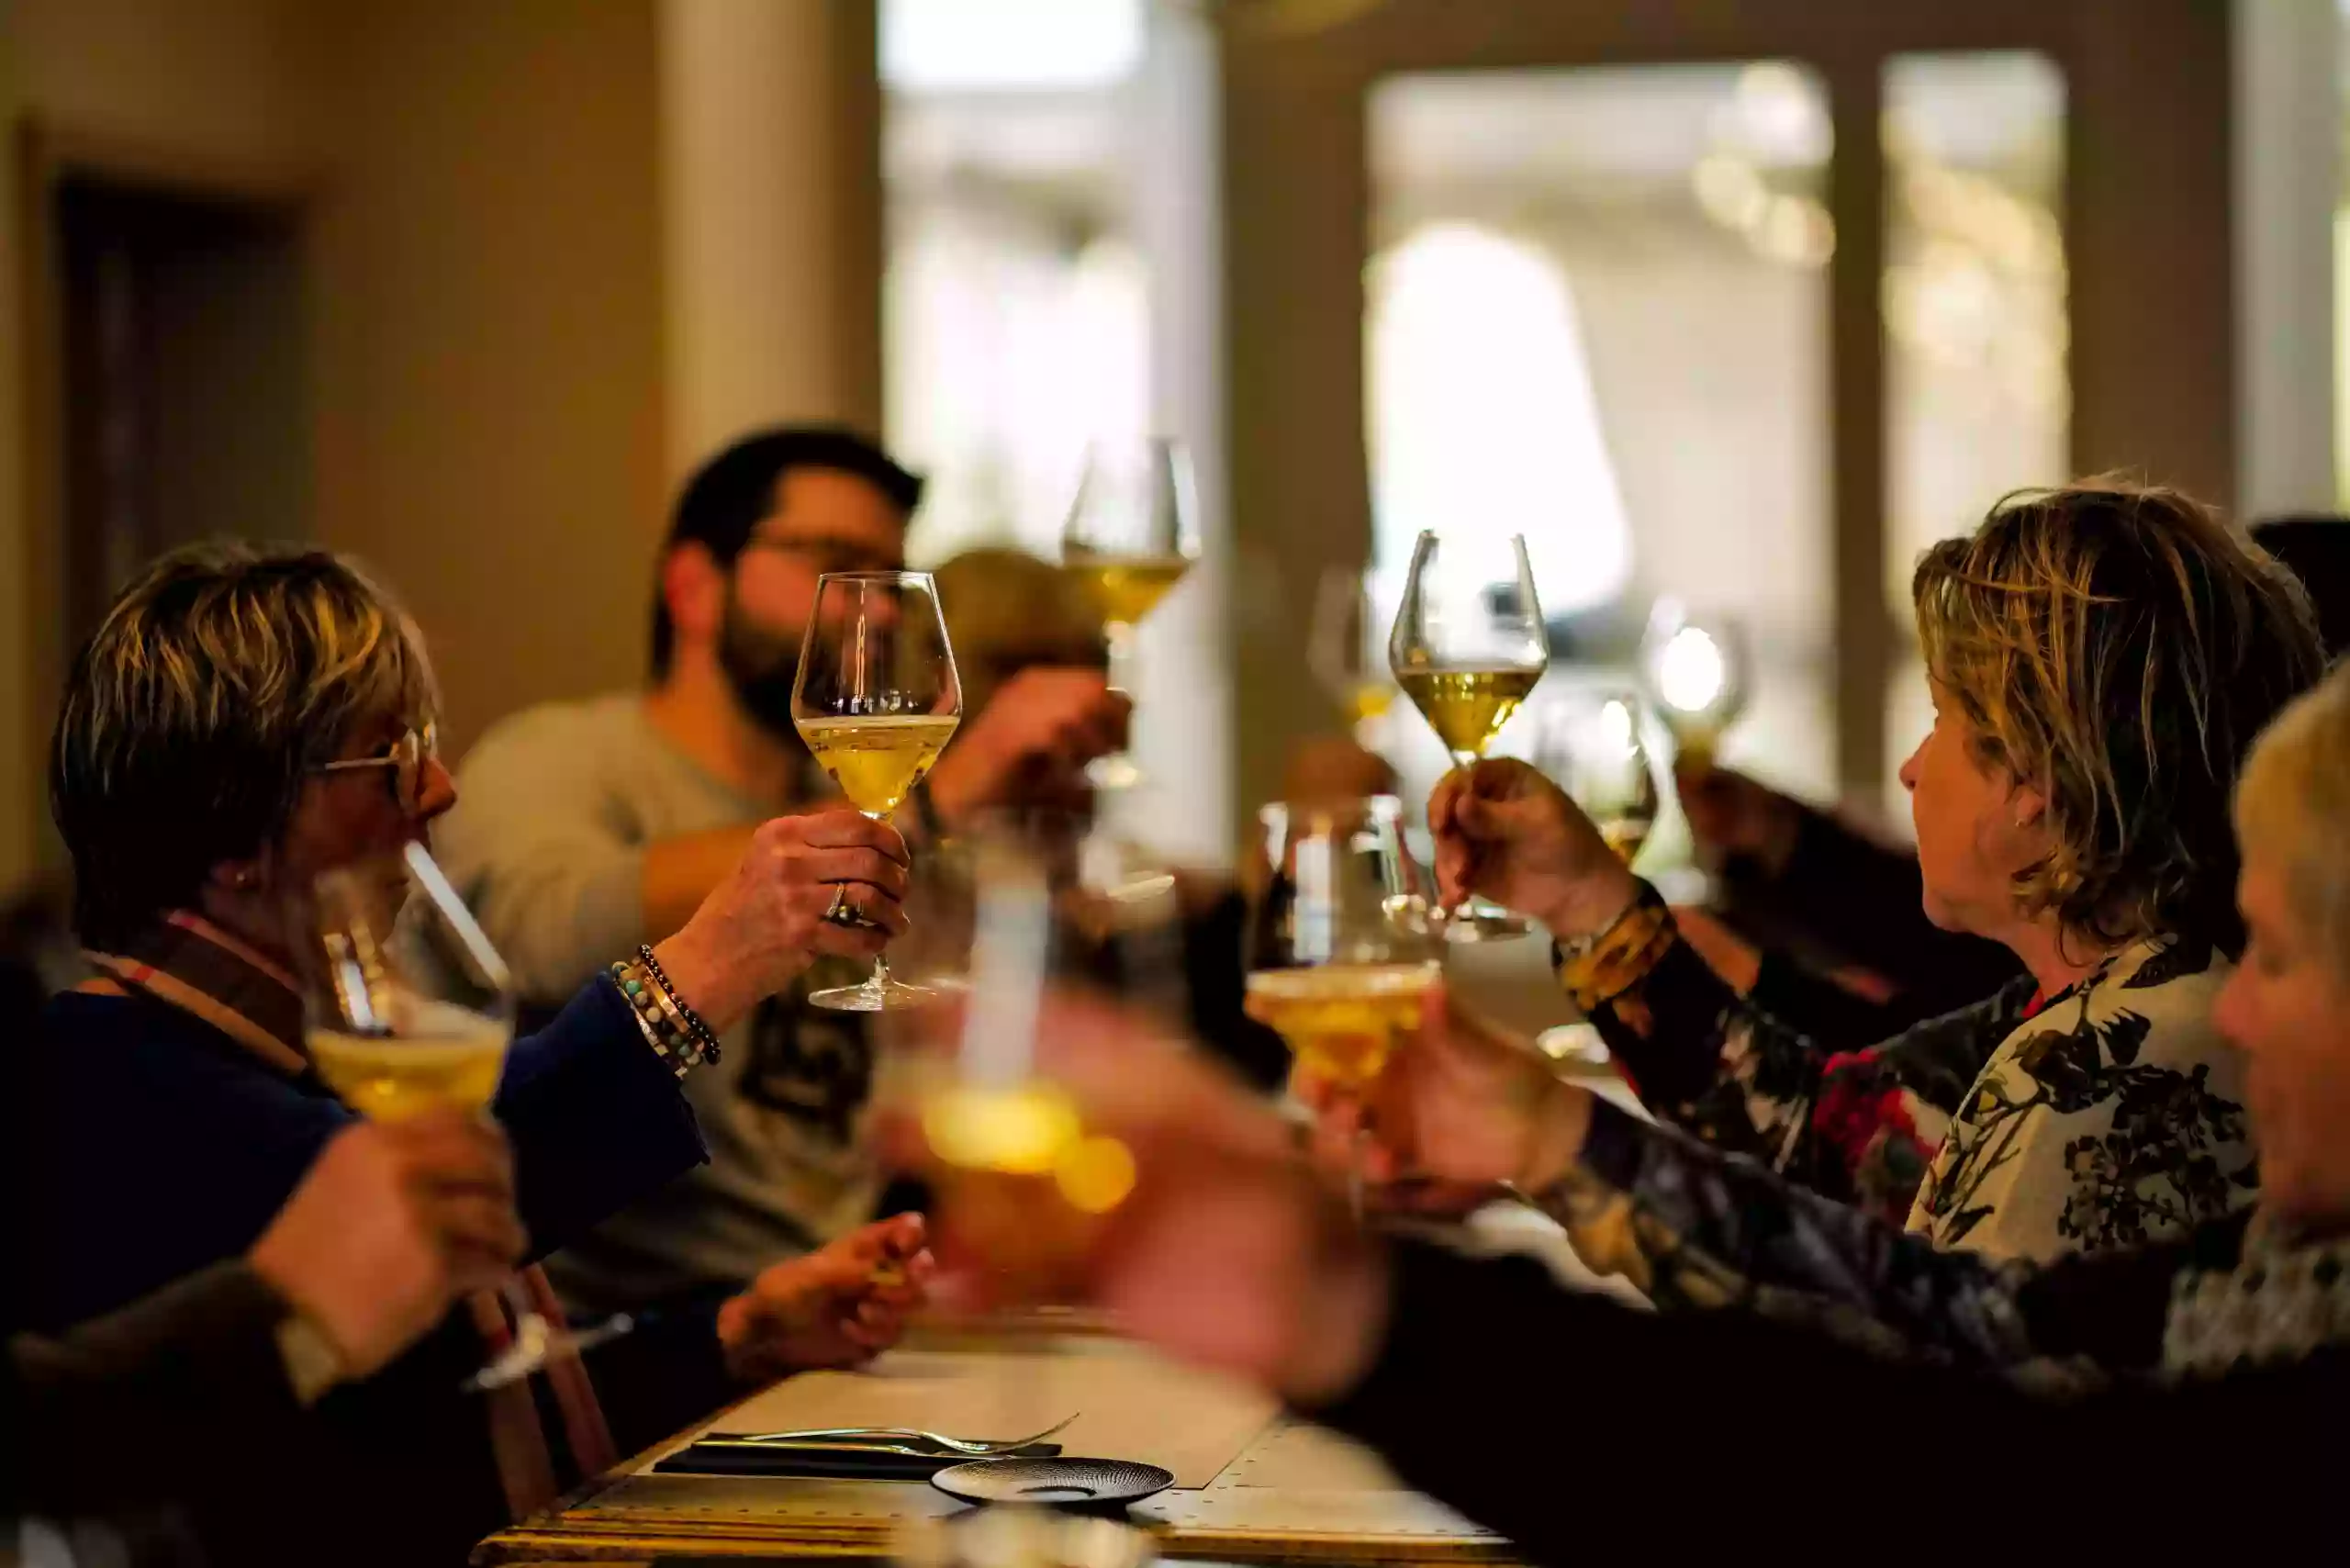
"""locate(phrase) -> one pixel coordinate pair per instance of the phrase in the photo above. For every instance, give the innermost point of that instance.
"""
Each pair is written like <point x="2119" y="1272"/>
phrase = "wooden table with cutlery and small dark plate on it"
<point x="1254" y="1487"/>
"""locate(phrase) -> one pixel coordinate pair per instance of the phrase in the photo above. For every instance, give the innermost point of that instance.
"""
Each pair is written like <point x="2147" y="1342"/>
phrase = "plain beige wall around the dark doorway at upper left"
<point x="485" y="309"/>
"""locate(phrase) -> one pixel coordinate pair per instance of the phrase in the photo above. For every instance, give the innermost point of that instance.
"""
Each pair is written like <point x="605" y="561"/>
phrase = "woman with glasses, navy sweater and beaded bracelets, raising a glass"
<point x="243" y="721"/>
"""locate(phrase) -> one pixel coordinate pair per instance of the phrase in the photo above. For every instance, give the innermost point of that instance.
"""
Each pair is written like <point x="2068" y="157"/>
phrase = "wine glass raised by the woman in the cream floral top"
<point x="1468" y="650"/>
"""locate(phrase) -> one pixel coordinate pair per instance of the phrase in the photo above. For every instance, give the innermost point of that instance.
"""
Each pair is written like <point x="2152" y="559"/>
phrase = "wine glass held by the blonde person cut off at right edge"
<point x="1343" y="942"/>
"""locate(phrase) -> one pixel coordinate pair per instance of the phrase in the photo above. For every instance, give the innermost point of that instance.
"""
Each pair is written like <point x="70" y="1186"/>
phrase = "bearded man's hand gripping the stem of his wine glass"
<point x="1033" y="742"/>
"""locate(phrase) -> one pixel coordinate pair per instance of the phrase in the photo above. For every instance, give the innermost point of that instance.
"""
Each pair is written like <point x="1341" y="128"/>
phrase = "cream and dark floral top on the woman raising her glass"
<point x="2109" y="1115"/>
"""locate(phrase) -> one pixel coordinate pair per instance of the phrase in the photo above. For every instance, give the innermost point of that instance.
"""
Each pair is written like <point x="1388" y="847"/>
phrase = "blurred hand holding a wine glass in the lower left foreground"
<point x="394" y="1224"/>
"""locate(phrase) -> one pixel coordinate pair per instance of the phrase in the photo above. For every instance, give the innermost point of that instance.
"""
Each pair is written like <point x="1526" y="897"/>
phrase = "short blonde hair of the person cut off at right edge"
<point x="2295" y="805"/>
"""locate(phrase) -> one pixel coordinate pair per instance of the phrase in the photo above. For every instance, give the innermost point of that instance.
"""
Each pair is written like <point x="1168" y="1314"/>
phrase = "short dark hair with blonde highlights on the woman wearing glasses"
<point x="215" y="683"/>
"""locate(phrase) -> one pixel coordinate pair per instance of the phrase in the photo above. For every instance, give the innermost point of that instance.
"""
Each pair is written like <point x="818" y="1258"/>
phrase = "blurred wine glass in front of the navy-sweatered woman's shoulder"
<point x="408" y="1007"/>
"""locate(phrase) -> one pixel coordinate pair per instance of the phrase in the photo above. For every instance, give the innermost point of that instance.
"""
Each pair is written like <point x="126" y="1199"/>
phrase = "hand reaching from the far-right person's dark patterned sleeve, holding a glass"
<point x="1461" y="1111"/>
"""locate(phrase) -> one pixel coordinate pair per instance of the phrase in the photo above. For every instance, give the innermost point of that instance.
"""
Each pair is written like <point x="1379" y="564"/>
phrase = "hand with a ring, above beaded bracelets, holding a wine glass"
<point x="767" y="920"/>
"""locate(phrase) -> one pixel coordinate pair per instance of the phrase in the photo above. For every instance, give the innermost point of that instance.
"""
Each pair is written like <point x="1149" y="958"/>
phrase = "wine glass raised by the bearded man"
<point x="1129" y="540"/>
